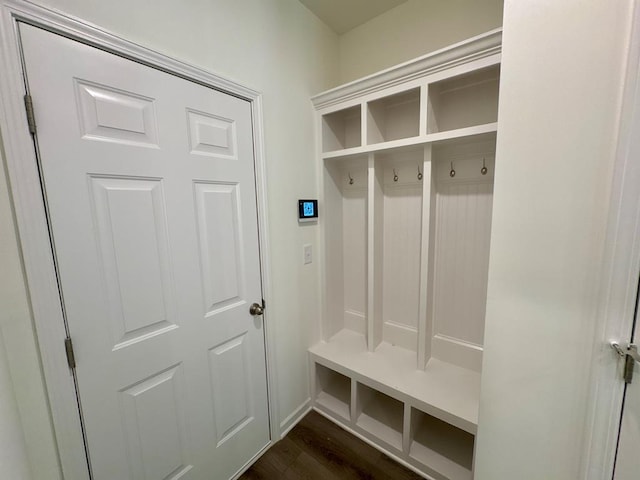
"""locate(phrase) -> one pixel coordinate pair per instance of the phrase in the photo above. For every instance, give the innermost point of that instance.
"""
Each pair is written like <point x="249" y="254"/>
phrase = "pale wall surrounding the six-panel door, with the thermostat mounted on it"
<point x="276" y="47"/>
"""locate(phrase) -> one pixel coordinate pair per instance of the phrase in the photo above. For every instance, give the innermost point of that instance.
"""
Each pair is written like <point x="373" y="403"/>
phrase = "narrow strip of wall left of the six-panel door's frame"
<point x="20" y="363"/>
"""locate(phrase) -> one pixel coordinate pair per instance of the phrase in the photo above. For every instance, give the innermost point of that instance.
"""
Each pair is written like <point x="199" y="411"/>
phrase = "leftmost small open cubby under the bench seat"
<point x="333" y="392"/>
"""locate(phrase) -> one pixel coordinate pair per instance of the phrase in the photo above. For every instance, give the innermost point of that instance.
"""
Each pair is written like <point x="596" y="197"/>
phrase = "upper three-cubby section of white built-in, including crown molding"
<point x="430" y="109"/>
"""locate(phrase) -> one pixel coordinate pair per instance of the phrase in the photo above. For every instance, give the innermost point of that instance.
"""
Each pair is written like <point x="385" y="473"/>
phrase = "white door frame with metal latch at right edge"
<point x="619" y="276"/>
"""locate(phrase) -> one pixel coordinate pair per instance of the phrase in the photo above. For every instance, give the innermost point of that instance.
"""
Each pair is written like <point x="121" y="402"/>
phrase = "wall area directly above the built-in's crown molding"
<point x="412" y="29"/>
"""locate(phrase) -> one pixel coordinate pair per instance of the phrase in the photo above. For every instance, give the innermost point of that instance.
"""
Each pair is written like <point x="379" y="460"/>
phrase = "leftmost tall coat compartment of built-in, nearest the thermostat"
<point x="345" y="230"/>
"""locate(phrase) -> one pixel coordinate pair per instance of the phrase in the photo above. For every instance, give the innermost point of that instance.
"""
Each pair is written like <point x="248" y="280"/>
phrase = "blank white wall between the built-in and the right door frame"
<point x="561" y="82"/>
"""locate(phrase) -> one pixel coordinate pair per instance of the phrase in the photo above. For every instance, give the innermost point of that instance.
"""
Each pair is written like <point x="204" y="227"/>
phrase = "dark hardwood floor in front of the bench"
<point x="317" y="449"/>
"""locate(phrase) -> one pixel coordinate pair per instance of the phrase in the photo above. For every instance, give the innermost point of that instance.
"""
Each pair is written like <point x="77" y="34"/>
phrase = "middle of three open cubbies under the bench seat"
<point x="380" y="416"/>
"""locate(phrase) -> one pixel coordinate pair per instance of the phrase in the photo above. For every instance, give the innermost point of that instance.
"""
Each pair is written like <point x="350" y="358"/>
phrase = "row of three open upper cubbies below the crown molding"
<point x="458" y="108"/>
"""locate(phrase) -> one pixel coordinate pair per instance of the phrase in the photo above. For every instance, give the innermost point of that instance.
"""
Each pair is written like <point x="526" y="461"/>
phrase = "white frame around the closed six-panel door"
<point x="31" y="218"/>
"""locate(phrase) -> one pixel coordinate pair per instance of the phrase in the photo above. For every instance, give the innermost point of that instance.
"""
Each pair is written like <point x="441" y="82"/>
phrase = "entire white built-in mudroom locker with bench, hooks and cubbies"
<point x="407" y="158"/>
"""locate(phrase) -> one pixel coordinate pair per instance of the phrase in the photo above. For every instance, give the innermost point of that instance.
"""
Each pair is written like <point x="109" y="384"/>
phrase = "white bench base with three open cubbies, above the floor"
<point x="392" y="417"/>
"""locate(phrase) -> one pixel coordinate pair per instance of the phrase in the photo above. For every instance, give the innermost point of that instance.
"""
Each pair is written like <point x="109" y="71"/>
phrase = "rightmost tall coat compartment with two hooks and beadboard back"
<point x="462" y="198"/>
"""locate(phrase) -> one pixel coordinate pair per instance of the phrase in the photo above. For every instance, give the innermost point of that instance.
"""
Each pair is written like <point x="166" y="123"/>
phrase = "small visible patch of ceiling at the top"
<point x="343" y="15"/>
